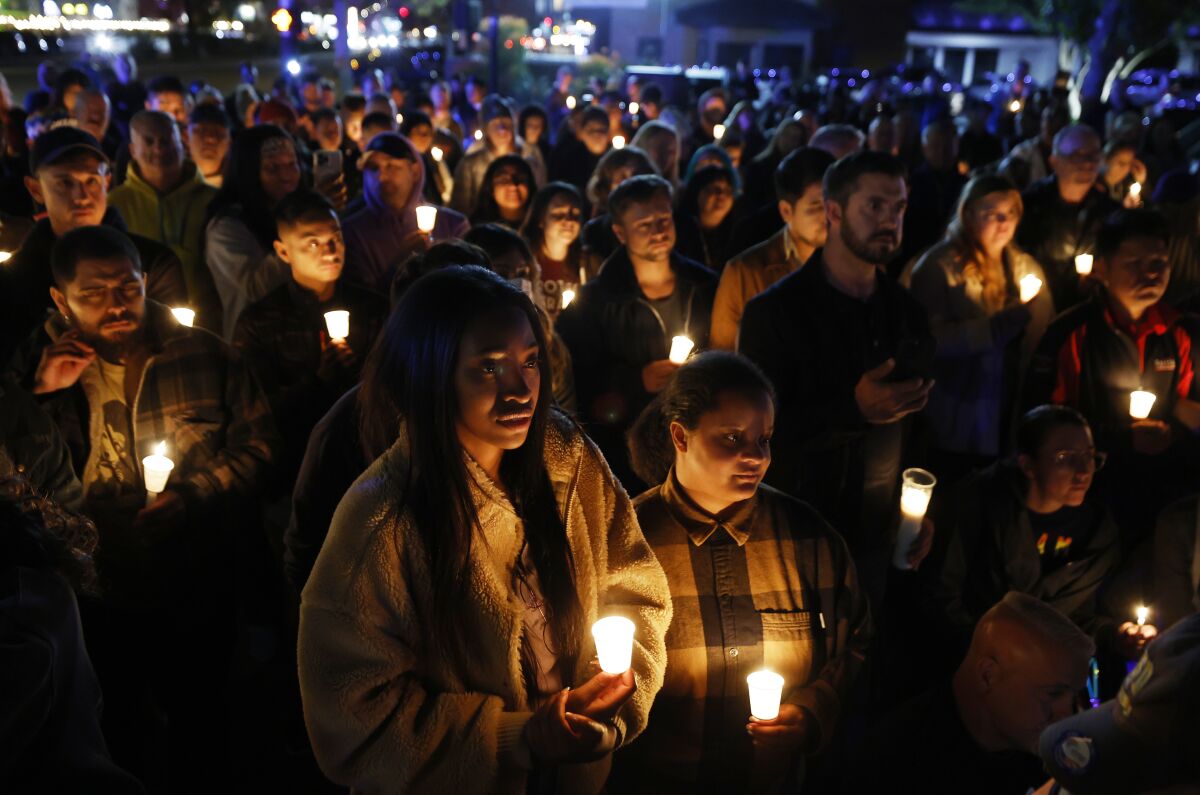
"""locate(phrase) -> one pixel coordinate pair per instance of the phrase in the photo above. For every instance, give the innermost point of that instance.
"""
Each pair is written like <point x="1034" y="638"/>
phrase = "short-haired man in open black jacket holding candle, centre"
<point x="620" y="330"/>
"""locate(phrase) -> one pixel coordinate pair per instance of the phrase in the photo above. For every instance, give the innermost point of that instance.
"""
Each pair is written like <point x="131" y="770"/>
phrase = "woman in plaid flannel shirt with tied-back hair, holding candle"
<point x="758" y="581"/>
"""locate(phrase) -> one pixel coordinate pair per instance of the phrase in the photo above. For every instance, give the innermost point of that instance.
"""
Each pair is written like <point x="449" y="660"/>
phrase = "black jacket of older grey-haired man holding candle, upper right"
<point x="1054" y="232"/>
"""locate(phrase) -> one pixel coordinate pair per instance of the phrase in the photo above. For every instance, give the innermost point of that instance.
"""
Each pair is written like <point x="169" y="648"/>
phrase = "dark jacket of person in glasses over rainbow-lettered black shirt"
<point x="986" y="548"/>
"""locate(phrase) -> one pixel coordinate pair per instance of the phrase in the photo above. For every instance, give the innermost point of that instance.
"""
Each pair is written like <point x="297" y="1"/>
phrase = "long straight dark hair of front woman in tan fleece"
<point x="413" y="376"/>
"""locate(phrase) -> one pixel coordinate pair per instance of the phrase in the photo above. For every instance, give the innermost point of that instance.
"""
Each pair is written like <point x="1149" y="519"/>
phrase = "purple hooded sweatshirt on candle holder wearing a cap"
<point x="379" y="240"/>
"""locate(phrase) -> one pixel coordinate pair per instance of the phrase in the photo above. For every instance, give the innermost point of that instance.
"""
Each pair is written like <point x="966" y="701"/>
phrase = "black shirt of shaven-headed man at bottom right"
<point x="923" y="746"/>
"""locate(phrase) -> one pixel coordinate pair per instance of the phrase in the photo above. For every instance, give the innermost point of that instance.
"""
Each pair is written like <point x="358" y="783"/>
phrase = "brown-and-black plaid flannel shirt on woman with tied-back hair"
<point x="769" y="584"/>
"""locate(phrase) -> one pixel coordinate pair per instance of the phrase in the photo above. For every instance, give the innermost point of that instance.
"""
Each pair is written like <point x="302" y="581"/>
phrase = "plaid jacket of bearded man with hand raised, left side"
<point x="196" y="394"/>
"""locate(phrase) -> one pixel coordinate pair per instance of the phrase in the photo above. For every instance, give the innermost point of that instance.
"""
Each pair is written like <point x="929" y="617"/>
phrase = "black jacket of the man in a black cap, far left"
<point x="26" y="282"/>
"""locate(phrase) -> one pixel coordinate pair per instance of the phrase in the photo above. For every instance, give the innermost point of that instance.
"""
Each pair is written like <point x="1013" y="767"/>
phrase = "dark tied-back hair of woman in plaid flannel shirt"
<point x="694" y="391"/>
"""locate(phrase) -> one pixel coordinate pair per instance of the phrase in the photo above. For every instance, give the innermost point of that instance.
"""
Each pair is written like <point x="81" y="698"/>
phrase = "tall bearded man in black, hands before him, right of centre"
<point x="849" y="351"/>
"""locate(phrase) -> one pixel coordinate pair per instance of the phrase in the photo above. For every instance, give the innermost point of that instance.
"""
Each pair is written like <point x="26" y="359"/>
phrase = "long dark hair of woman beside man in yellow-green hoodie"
<point x="242" y="193"/>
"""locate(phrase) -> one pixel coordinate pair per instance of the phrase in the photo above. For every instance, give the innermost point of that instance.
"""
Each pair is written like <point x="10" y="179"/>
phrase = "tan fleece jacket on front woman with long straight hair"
<point x="388" y="715"/>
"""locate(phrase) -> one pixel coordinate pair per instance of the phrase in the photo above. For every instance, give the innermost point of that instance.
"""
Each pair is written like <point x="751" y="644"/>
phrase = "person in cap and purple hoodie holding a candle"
<point x="385" y="232"/>
